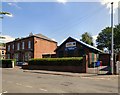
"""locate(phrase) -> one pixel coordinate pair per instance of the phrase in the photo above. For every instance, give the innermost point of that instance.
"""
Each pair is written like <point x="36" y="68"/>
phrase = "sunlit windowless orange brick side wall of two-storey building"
<point x="42" y="46"/>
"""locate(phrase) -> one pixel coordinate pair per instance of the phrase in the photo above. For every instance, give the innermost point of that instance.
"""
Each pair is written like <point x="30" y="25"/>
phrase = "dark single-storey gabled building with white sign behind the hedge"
<point x="74" y="48"/>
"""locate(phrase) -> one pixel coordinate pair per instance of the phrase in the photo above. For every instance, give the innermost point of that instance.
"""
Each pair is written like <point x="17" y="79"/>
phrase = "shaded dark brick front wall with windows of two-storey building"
<point x="21" y="52"/>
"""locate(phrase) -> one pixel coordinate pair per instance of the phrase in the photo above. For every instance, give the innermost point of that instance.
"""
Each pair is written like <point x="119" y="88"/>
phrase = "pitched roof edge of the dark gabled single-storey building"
<point x="83" y="43"/>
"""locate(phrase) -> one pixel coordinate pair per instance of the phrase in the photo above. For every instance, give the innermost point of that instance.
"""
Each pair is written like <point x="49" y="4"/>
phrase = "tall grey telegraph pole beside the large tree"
<point x="112" y="41"/>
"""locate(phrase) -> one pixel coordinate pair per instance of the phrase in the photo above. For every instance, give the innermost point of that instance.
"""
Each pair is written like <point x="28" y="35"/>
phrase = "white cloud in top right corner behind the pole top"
<point x="107" y="3"/>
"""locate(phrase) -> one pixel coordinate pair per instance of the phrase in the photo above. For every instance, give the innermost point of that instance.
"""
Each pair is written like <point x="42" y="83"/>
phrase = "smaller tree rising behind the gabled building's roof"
<point x="87" y="38"/>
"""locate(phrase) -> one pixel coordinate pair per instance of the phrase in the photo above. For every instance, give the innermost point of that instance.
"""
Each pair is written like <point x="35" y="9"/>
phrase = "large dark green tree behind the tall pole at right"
<point x="104" y="38"/>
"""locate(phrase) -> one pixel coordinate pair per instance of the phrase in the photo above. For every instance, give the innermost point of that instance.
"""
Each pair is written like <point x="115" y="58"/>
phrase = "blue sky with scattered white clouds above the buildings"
<point x="56" y="20"/>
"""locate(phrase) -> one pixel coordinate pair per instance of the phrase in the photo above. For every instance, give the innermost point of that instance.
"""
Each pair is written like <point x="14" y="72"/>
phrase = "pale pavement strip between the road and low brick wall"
<point x="82" y="75"/>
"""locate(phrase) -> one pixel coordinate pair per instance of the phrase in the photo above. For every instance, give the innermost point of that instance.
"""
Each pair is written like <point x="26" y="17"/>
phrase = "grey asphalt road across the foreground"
<point x="18" y="81"/>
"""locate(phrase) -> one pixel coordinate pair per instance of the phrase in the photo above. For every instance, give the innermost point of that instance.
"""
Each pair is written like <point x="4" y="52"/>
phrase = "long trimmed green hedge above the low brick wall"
<point x="56" y="61"/>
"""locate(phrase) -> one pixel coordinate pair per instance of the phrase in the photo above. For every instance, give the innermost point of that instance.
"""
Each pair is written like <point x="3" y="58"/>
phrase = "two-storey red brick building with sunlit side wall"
<point x="33" y="46"/>
